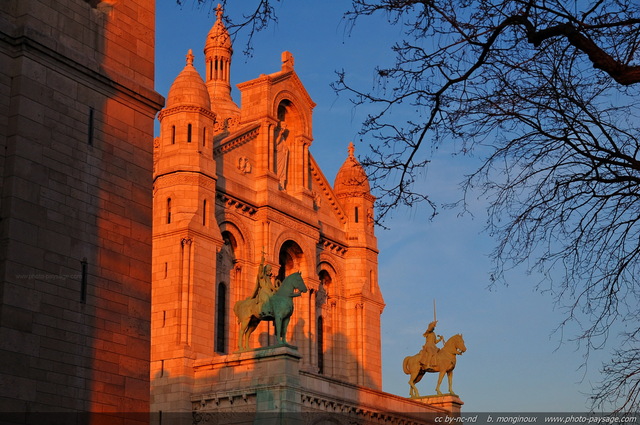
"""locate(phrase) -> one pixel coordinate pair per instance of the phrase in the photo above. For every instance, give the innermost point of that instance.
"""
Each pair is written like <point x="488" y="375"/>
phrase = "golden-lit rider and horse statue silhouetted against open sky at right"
<point x="433" y="359"/>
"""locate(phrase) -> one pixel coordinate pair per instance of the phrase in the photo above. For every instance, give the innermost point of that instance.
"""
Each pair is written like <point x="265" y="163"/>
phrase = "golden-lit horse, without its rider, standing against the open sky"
<point x="445" y="362"/>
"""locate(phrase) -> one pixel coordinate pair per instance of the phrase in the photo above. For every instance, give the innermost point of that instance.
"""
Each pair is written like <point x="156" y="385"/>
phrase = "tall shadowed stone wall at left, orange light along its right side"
<point x="77" y="107"/>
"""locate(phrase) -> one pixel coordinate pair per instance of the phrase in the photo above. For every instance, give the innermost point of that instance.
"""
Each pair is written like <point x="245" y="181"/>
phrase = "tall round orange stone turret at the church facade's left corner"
<point x="186" y="236"/>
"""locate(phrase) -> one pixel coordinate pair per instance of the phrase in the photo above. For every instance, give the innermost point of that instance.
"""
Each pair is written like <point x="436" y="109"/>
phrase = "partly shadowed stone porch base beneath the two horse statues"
<point x="269" y="386"/>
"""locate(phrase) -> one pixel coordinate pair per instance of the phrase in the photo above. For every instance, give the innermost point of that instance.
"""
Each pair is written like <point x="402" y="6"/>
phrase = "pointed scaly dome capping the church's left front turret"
<point x="188" y="88"/>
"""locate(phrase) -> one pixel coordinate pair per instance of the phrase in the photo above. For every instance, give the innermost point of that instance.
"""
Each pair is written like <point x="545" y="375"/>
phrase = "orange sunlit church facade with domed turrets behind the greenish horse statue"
<point x="234" y="184"/>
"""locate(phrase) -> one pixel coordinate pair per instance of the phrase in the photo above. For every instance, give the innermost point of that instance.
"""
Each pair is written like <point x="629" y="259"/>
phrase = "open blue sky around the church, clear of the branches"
<point x="515" y="362"/>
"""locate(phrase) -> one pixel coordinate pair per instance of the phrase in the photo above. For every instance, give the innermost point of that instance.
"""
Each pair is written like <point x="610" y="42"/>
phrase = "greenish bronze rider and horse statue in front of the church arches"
<point x="271" y="301"/>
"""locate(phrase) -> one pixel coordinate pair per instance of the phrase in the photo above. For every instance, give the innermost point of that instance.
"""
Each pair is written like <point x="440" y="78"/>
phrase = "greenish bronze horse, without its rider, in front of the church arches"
<point x="277" y="308"/>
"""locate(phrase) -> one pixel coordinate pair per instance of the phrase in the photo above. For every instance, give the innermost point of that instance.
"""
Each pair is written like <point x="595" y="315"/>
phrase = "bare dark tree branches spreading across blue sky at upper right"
<point x="540" y="88"/>
